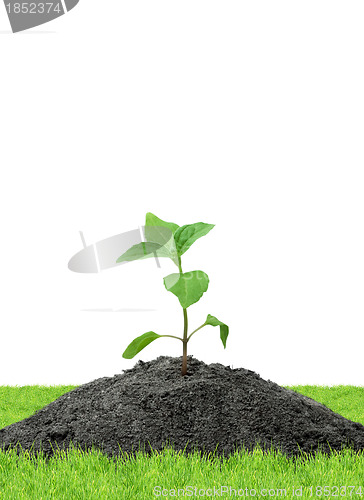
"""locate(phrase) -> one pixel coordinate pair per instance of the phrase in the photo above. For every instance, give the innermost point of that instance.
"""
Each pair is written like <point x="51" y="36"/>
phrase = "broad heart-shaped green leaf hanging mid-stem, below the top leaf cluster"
<point x="188" y="287"/>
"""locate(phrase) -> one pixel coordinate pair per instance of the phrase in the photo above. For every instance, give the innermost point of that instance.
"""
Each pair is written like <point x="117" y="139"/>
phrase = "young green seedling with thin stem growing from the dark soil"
<point x="166" y="239"/>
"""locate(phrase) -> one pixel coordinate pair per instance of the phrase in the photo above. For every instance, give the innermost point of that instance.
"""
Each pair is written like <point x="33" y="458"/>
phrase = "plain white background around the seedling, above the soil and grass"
<point x="247" y="115"/>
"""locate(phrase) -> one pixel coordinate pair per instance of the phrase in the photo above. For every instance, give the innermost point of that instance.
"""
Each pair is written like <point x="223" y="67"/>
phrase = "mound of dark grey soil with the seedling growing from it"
<point x="213" y="409"/>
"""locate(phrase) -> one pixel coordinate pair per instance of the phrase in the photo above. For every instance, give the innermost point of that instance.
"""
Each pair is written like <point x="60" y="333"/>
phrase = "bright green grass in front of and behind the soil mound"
<point x="80" y="475"/>
